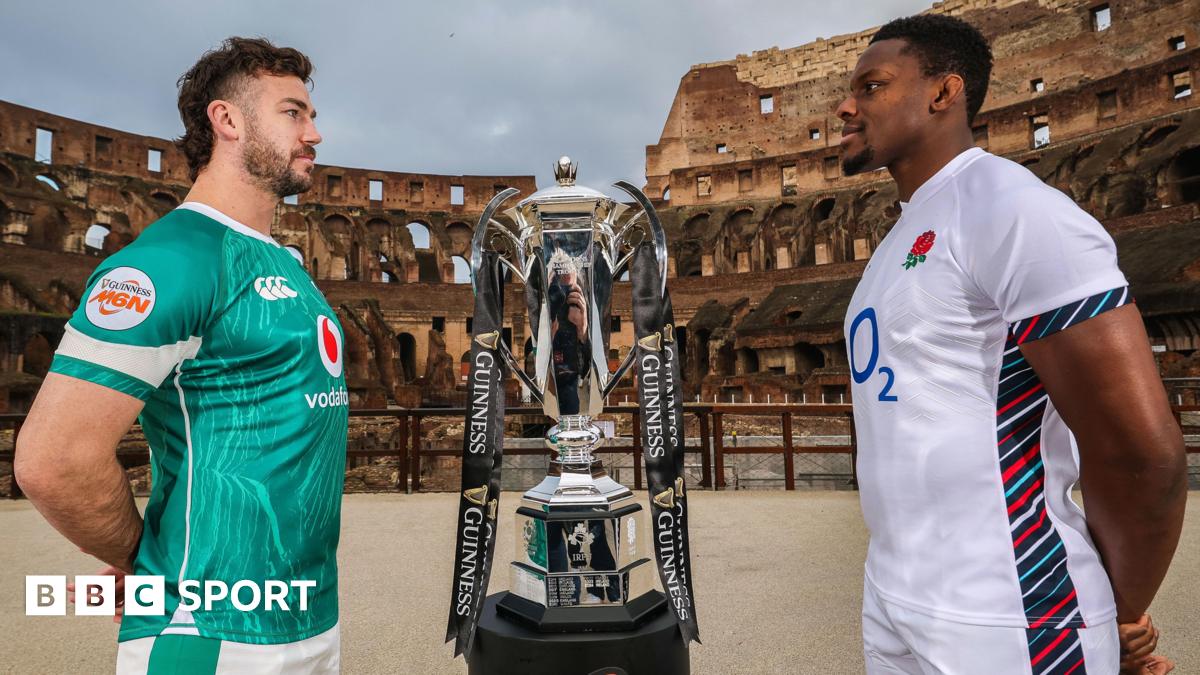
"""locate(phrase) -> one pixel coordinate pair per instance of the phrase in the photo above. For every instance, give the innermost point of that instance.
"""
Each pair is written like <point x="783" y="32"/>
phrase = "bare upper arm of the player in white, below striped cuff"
<point x="1102" y="379"/>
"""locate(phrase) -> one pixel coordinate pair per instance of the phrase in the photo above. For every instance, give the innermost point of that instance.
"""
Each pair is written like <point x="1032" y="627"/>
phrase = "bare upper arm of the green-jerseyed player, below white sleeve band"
<point x="73" y="417"/>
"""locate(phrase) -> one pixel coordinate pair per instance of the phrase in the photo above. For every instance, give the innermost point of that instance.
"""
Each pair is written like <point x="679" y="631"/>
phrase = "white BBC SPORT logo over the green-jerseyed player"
<point x="146" y="595"/>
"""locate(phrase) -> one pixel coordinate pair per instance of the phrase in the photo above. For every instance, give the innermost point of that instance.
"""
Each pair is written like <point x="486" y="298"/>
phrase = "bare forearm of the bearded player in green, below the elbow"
<point x="93" y="507"/>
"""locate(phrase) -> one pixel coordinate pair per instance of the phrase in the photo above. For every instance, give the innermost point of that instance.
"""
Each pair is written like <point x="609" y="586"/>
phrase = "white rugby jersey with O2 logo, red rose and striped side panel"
<point x="965" y="469"/>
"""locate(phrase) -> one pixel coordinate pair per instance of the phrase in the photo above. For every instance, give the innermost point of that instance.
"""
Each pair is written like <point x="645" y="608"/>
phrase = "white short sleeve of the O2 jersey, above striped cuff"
<point x="1039" y="252"/>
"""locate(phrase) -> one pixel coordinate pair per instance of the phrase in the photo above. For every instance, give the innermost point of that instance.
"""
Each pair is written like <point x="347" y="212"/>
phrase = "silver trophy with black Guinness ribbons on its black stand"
<point x="584" y="596"/>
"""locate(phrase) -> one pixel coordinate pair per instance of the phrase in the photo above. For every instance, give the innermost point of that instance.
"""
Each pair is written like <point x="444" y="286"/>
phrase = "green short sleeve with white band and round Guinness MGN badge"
<point x="142" y="313"/>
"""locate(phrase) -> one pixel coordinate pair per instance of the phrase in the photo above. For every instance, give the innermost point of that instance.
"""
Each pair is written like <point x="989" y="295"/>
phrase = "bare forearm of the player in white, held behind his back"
<point x="1136" y="516"/>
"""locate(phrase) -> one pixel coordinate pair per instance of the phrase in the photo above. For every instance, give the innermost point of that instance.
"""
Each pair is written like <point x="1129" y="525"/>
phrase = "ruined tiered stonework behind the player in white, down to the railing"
<point x="749" y="182"/>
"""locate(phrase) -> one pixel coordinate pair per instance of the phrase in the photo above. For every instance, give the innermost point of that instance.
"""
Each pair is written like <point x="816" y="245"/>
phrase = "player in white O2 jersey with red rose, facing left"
<point x="998" y="361"/>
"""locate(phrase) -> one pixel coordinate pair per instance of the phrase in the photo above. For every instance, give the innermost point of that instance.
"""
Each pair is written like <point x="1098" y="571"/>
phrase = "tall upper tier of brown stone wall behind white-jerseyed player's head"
<point x="766" y="124"/>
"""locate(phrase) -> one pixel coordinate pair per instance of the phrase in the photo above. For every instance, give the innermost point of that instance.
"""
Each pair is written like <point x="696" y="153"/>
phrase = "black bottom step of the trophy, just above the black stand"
<point x="604" y="619"/>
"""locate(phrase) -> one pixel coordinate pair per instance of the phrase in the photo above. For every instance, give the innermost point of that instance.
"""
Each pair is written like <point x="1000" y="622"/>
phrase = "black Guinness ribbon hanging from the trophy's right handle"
<point x="663" y="440"/>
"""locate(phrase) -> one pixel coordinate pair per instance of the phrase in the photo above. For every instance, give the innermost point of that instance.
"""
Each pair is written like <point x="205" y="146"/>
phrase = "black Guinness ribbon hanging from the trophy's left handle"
<point x="483" y="450"/>
